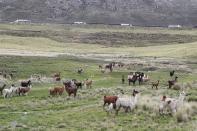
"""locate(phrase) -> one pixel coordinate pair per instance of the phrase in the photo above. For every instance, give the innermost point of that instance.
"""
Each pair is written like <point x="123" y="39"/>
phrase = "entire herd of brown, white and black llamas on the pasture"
<point x="114" y="102"/>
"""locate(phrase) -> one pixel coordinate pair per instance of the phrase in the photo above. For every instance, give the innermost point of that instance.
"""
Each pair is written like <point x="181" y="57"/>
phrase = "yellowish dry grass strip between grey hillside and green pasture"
<point x="73" y="40"/>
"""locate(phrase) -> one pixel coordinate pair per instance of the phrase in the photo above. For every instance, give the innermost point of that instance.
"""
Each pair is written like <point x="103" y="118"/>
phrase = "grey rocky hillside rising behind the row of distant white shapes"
<point x="137" y="12"/>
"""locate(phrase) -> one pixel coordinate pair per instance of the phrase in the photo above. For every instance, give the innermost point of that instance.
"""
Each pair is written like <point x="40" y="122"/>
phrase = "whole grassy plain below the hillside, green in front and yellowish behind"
<point x="38" y="111"/>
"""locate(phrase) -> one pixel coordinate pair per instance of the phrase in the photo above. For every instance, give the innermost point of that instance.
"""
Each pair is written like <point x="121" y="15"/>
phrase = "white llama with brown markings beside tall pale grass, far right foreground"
<point x="172" y="103"/>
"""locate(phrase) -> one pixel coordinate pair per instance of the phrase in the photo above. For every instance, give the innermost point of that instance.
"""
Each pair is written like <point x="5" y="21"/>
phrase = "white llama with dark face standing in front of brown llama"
<point x="128" y="103"/>
